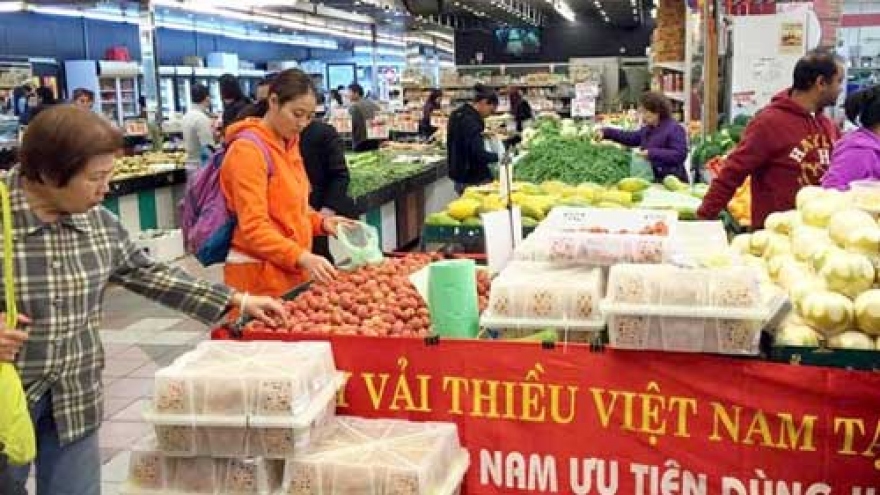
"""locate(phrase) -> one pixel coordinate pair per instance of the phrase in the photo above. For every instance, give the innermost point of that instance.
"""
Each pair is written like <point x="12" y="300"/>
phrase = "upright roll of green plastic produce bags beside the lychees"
<point x="452" y="298"/>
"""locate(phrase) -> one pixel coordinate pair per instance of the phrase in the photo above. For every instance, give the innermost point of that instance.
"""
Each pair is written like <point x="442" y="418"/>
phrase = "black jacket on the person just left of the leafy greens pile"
<point x="465" y="150"/>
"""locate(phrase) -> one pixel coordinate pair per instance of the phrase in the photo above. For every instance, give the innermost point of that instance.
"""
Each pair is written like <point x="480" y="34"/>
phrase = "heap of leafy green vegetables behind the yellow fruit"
<point x="573" y="161"/>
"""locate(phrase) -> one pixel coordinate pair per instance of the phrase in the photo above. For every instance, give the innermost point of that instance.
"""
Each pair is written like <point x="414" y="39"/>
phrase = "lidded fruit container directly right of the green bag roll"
<point x="539" y="295"/>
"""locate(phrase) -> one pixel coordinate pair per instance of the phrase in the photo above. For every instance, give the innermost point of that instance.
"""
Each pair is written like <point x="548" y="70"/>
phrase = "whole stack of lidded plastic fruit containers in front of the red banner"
<point x="259" y="418"/>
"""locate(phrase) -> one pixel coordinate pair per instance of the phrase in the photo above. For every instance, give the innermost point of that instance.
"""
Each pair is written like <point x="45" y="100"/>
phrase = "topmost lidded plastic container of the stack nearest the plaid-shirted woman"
<point x="236" y="379"/>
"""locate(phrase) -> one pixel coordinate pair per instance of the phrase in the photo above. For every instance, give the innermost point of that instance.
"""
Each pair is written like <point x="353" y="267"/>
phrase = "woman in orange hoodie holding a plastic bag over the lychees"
<point x="271" y="244"/>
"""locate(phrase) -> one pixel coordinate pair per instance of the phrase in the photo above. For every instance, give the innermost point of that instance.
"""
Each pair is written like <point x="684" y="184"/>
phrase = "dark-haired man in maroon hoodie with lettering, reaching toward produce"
<point x="786" y="146"/>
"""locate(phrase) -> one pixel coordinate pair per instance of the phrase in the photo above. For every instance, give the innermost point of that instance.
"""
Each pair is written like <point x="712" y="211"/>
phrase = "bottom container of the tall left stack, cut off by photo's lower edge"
<point x="151" y="472"/>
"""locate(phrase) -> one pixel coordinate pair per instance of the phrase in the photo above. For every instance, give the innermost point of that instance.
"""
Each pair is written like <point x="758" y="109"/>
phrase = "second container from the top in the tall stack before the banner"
<point x="268" y="436"/>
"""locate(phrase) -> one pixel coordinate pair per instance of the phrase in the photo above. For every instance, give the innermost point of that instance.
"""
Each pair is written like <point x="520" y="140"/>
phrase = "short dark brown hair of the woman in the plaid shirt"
<point x="60" y="141"/>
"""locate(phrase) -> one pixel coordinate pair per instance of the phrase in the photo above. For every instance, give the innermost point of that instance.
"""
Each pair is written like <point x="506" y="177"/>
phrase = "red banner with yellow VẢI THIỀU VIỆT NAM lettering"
<point x="570" y="421"/>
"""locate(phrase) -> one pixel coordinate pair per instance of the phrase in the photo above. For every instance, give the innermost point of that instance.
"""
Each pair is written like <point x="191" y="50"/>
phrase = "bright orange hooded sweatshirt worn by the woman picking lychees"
<point x="275" y="223"/>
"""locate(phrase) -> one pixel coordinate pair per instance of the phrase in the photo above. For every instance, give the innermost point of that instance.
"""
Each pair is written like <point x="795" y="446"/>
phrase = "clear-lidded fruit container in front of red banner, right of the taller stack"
<point x="380" y="457"/>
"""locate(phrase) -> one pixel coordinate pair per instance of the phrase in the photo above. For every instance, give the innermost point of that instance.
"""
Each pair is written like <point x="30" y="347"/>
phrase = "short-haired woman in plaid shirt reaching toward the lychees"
<point x="68" y="249"/>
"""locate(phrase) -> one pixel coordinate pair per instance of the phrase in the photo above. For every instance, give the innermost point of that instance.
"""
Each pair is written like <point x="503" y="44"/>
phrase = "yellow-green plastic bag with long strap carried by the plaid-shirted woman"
<point x="16" y="428"/>
